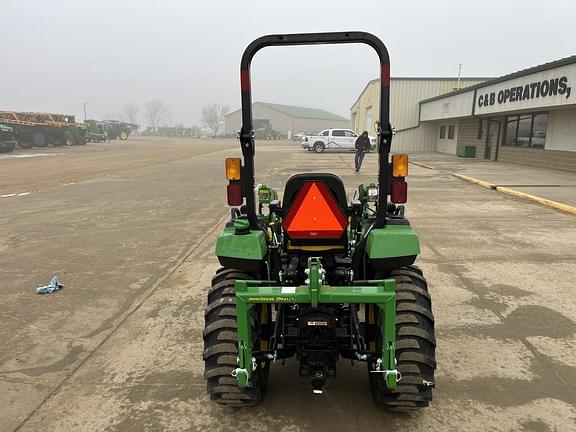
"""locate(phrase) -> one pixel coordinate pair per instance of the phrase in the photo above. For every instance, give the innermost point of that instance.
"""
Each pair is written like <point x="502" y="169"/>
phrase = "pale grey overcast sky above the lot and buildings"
<point x="57" y="54"/>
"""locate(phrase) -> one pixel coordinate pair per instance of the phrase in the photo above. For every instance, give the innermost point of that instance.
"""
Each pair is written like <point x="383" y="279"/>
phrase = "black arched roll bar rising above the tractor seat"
<point x="247" y="130"/>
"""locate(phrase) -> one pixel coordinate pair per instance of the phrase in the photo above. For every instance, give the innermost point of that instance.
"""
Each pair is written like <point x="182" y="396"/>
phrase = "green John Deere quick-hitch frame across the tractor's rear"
<point x="379" y="292"/>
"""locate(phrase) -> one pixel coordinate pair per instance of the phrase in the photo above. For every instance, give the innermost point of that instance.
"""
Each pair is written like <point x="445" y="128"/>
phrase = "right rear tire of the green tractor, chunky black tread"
<point x="415" y="345"/>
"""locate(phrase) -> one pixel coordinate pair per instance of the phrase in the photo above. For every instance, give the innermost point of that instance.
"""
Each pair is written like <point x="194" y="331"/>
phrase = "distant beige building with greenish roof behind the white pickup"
<point x="285" y="119"/>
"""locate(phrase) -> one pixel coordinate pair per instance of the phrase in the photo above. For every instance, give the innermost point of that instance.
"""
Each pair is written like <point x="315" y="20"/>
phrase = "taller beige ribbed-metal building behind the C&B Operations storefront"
<point x="405" y="95"/>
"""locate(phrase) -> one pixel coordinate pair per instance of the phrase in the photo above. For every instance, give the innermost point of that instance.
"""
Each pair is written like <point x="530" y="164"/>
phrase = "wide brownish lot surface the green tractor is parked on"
<point x="132" y="240"/>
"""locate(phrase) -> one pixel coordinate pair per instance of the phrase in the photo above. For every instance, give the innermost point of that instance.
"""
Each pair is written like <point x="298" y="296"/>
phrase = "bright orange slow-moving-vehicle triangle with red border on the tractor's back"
<point x="315" y="214"/>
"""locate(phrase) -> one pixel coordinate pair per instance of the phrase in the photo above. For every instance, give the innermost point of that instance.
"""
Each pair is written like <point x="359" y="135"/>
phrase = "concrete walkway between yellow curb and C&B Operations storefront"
<point x="554" y="185"/>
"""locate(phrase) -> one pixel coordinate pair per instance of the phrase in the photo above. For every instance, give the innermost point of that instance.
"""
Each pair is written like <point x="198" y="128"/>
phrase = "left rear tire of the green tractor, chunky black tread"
<point x="221" y="344"/>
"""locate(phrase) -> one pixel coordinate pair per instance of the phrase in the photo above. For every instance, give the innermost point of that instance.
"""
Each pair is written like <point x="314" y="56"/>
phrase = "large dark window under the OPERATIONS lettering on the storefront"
<point x="526" y="130"/>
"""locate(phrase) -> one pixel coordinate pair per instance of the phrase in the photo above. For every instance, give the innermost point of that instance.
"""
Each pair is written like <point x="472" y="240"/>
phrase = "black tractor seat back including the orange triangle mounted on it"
<point x="315" y="210"/>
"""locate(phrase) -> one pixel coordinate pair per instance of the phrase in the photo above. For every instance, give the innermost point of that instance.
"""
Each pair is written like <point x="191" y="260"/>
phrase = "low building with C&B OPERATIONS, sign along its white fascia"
<point x="527" y="117"/>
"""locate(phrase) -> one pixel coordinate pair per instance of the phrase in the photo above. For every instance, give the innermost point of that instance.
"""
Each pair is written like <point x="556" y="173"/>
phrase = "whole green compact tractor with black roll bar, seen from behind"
<point x="317" y="277"/>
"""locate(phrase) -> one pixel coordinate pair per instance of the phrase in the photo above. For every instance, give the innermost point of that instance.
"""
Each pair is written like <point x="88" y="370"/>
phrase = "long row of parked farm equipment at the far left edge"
<point x="40" y="129"/>
